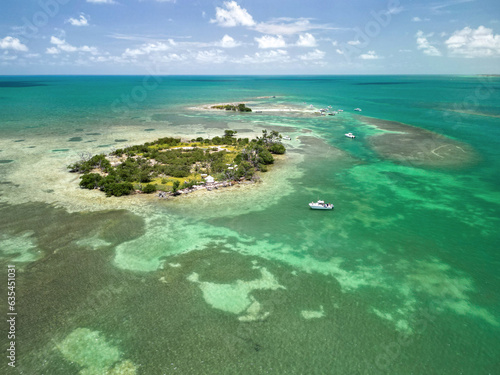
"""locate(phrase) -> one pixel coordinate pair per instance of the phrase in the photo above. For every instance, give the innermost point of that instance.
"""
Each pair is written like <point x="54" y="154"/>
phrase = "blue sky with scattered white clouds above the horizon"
<point x="249" y="37"/>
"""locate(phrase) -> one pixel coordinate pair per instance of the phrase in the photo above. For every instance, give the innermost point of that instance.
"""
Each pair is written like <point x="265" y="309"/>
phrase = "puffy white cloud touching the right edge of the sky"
<point x="470" y="43"/>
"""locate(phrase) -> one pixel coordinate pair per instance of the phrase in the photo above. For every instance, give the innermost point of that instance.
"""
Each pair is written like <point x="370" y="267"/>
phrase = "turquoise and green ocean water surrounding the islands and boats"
<point x="401" y="278"/>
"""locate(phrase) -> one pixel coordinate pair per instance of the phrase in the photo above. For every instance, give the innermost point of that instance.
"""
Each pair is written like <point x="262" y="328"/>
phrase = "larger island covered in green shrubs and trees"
<point x="171" y="166"/>
